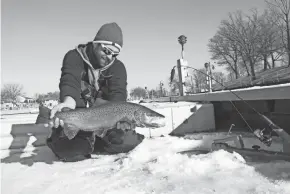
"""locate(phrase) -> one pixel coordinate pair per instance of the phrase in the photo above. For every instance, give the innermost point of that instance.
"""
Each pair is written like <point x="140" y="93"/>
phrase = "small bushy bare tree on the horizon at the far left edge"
<point x="9" y="92"/>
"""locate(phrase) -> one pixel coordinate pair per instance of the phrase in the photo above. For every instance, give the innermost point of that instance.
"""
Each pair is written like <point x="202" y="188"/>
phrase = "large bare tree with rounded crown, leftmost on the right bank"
<point x="238" y="43"/>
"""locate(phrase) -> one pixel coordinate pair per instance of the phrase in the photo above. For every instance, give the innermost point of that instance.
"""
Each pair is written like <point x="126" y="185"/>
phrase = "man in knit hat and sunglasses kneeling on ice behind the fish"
<point x="91" y="75"/>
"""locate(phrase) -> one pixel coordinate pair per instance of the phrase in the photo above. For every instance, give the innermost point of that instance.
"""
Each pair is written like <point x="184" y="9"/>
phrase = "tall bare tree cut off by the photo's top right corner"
<point x="280" y="10"/>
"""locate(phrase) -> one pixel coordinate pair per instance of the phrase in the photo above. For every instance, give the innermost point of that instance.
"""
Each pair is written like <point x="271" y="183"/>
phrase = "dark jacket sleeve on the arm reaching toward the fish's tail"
<point x="70" y="81"/>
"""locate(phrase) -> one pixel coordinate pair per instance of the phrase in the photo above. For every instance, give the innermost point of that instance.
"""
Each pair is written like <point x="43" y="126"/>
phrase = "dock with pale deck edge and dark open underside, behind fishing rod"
<point x="217" y="108"/>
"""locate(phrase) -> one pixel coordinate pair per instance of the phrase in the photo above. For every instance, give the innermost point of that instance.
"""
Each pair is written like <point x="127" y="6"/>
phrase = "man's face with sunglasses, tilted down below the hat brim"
<point x="104" y="53"/>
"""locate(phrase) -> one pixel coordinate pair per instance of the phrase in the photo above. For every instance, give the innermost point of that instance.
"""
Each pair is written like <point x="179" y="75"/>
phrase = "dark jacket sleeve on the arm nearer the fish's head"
<point x="117" y="85"/>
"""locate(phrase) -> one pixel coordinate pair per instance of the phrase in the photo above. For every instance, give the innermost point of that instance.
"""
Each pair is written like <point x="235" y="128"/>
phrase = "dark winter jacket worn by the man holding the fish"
<point x="80" y="80"/>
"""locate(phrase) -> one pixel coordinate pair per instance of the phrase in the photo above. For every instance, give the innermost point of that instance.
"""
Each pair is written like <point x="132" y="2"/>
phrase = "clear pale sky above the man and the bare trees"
<point x="35" y="36"/>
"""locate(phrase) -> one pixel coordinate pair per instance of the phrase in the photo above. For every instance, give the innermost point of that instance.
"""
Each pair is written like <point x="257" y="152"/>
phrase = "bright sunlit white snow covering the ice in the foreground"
<point x="155" y="166"/>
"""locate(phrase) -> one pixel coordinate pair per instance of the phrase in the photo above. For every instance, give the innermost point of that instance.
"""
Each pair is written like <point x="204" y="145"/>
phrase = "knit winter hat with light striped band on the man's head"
<point x="110" y="33"/>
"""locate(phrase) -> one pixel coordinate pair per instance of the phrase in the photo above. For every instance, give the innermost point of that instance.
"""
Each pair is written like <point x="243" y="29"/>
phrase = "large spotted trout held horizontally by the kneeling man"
<point x="101" y="118"/>
